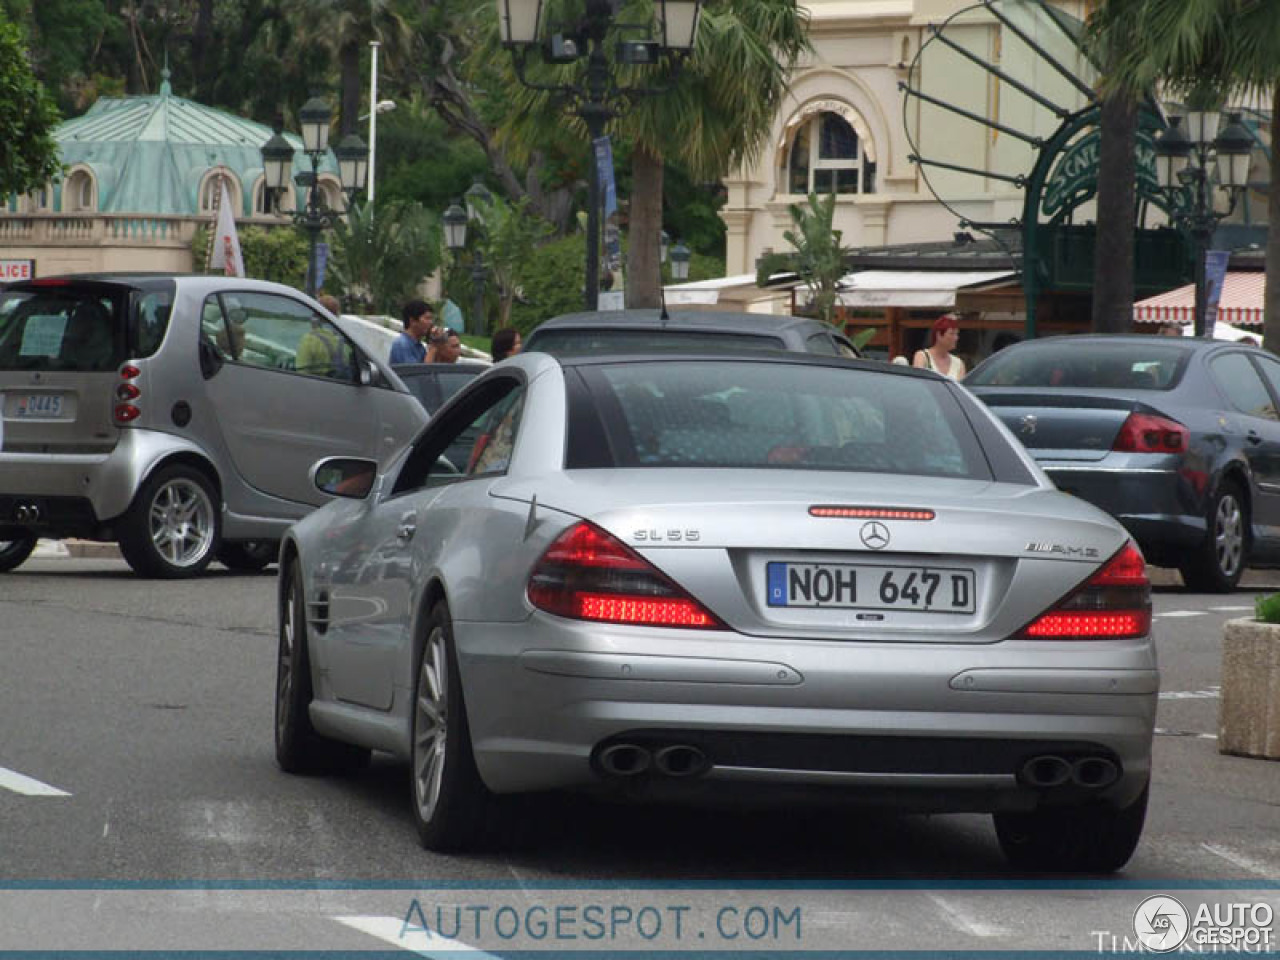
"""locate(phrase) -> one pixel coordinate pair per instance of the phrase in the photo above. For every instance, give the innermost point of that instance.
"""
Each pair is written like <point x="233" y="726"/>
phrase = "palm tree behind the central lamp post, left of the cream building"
<point x="711" y="116"/>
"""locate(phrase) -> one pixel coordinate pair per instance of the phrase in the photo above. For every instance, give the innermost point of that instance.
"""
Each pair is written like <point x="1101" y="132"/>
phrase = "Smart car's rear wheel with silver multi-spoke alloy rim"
<point x="172" y="531"/>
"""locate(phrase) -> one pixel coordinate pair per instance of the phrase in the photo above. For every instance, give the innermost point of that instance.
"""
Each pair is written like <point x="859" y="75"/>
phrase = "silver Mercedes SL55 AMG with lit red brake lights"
<point x="693" y="578"/>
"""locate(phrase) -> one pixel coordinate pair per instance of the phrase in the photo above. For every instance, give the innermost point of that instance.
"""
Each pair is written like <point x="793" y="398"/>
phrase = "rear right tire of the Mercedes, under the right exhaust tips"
<point x="1073" y="840"/>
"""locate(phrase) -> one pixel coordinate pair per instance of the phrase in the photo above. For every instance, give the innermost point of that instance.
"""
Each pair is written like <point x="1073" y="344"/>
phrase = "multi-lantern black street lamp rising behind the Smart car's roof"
<point x="316" y="216"/>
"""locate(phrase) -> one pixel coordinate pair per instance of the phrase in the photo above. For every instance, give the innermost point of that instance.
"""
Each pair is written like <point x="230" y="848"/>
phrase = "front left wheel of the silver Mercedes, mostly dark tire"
<point x="299" y="748"/>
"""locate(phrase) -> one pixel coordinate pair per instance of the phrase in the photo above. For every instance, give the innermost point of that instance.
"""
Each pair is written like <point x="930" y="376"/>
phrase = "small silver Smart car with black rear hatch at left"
<point x="179" y="415"/>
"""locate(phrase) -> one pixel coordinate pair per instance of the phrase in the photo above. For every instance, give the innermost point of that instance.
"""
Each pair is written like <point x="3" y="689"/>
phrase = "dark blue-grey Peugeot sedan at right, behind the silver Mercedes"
<point x="1180" y="440"/>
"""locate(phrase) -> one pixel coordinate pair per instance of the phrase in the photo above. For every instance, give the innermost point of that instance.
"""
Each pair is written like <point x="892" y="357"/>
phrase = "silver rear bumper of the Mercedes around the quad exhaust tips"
<point x="916" y="726"/>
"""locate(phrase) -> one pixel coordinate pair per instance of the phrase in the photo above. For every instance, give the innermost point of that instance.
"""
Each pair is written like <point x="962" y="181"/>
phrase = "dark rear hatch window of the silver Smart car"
<point x="63" y="328"/>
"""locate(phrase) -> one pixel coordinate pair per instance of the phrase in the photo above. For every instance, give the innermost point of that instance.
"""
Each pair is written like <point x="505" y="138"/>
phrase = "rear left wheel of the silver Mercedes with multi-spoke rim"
<point x="450" y="799"/>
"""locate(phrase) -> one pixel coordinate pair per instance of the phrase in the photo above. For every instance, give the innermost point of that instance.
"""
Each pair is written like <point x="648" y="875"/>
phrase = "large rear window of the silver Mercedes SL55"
<point x="796" y="417"/>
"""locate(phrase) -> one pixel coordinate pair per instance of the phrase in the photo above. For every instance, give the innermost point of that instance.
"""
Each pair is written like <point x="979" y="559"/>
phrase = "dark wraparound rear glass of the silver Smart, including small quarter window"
<point x="90" y="328"/>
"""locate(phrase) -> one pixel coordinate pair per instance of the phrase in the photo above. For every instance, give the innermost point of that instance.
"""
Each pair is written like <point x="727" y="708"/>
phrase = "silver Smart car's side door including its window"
<point x="285" y="392"/>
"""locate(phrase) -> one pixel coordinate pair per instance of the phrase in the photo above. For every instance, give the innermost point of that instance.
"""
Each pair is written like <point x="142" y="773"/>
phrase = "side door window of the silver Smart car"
<point x="285" y="335"/>
